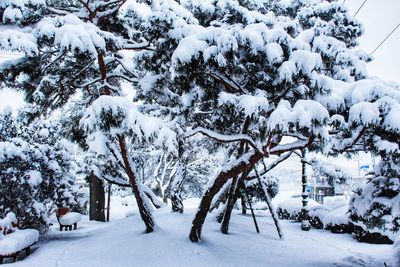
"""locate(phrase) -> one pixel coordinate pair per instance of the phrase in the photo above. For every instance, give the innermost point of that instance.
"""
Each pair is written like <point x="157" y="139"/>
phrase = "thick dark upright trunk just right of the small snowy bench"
<point x="97" y="199"/>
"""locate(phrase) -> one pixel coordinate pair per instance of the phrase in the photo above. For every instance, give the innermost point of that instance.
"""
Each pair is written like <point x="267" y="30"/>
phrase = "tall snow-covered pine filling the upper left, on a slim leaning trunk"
<point x="74" y="46"/>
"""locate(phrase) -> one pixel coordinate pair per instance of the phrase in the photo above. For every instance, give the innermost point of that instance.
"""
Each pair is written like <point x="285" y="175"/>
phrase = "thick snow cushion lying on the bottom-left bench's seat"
<point x="17" y="241"/>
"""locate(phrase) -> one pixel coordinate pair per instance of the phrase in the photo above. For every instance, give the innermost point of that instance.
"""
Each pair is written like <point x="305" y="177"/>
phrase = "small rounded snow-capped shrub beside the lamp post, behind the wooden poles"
<point x="291" y="209"/>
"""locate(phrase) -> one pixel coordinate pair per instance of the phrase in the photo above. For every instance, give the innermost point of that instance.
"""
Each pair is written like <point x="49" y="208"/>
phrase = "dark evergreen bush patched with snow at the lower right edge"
<point x="375" y="208"/>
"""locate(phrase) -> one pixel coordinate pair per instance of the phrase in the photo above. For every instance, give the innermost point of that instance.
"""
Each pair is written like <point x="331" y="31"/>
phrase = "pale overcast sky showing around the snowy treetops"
<point x="379" y="17"/>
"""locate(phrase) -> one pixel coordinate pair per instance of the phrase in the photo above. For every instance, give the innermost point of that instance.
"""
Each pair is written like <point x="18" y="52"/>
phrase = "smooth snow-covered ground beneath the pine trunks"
<point x="122" y="242"/>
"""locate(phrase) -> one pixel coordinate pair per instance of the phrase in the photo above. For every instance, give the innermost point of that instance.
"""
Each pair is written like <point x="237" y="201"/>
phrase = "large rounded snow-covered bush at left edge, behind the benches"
<point x="35" y="175"/>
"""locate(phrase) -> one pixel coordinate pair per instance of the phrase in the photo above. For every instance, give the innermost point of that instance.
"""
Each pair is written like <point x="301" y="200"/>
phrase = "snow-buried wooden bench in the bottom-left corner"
<point x="13" y="240"/>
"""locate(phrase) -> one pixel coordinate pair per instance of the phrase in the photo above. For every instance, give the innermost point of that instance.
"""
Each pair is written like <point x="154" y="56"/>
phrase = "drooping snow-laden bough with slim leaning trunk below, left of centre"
<point x="114" y="124"/>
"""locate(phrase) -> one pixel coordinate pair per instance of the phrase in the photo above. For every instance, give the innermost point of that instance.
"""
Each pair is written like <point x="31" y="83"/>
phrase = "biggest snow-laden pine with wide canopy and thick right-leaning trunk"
<point x="278" y="69"/>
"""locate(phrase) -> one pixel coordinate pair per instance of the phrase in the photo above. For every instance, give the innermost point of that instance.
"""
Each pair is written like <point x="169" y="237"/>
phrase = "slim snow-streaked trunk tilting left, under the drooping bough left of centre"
<point x="144" y="211"/>
